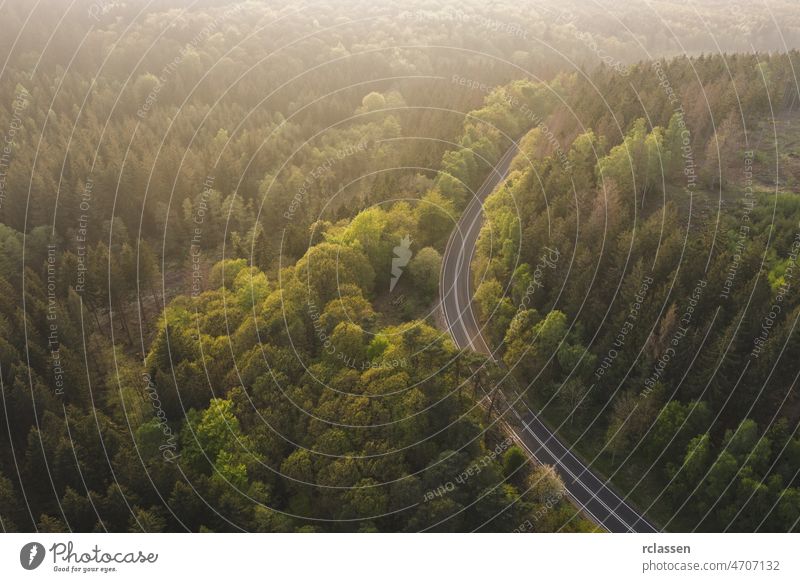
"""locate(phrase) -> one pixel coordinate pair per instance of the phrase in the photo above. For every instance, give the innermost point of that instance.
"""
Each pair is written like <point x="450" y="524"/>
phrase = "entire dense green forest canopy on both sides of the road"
<point x="221" y="233"/>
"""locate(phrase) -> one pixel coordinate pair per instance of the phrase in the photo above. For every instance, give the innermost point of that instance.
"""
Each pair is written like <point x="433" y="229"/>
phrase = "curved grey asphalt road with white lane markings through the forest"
<point x="593" y="495"/>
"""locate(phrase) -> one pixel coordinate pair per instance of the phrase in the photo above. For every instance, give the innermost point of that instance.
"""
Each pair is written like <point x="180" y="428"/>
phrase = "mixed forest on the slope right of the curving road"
<point x="647" y="296"/>
